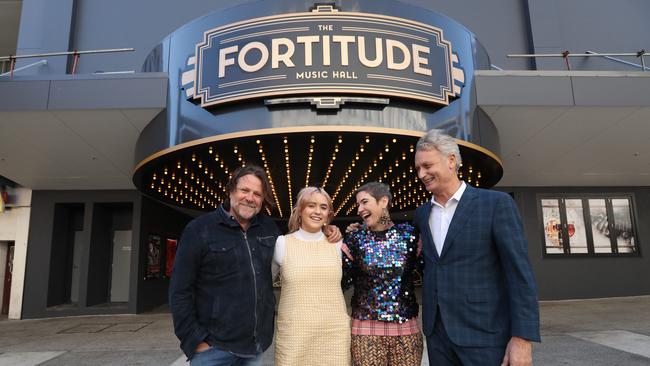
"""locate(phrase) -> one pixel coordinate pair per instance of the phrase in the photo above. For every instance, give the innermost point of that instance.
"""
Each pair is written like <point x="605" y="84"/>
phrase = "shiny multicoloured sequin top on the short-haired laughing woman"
<point x="383" y="271"/>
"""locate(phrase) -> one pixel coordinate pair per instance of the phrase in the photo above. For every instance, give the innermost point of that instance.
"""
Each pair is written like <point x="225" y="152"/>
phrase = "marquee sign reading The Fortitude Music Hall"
<point x="323" y="51"/>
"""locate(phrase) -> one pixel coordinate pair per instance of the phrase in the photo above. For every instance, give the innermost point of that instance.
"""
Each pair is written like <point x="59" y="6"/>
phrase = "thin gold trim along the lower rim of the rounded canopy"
<point x="307" y="129"/>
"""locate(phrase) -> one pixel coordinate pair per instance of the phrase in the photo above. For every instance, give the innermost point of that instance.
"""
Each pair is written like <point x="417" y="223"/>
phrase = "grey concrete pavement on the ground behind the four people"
<point x="583" y="332"/>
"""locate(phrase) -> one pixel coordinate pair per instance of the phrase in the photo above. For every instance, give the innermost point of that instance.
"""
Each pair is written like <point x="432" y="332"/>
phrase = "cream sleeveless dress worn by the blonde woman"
<point x="313" y="327"/>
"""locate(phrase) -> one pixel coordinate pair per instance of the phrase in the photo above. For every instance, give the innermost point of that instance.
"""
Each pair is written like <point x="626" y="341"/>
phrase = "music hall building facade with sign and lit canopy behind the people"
<point x="105" y="157"/>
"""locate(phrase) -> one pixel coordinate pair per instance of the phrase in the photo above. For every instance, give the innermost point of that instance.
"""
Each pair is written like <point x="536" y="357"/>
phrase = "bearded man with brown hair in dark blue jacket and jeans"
<point x="221" y="291"/>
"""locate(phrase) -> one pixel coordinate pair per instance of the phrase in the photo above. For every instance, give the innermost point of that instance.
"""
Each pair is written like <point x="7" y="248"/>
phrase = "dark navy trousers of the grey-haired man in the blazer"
<point x="443" y="352"/>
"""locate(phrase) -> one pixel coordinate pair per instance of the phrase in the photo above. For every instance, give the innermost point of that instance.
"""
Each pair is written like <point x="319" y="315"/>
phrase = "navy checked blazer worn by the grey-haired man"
<point x="482" y="281"/>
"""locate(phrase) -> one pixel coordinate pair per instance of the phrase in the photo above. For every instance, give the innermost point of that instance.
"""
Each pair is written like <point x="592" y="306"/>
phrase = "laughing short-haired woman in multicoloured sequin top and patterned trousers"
<point x="382" y="263"/>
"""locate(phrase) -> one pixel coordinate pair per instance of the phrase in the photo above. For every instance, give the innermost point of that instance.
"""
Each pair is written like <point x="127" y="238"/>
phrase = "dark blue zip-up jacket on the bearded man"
<point x="221" y="288"/>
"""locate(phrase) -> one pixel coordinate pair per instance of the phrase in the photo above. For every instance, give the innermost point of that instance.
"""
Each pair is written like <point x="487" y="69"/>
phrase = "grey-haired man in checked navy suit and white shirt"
<point x="479" y="294"/>
